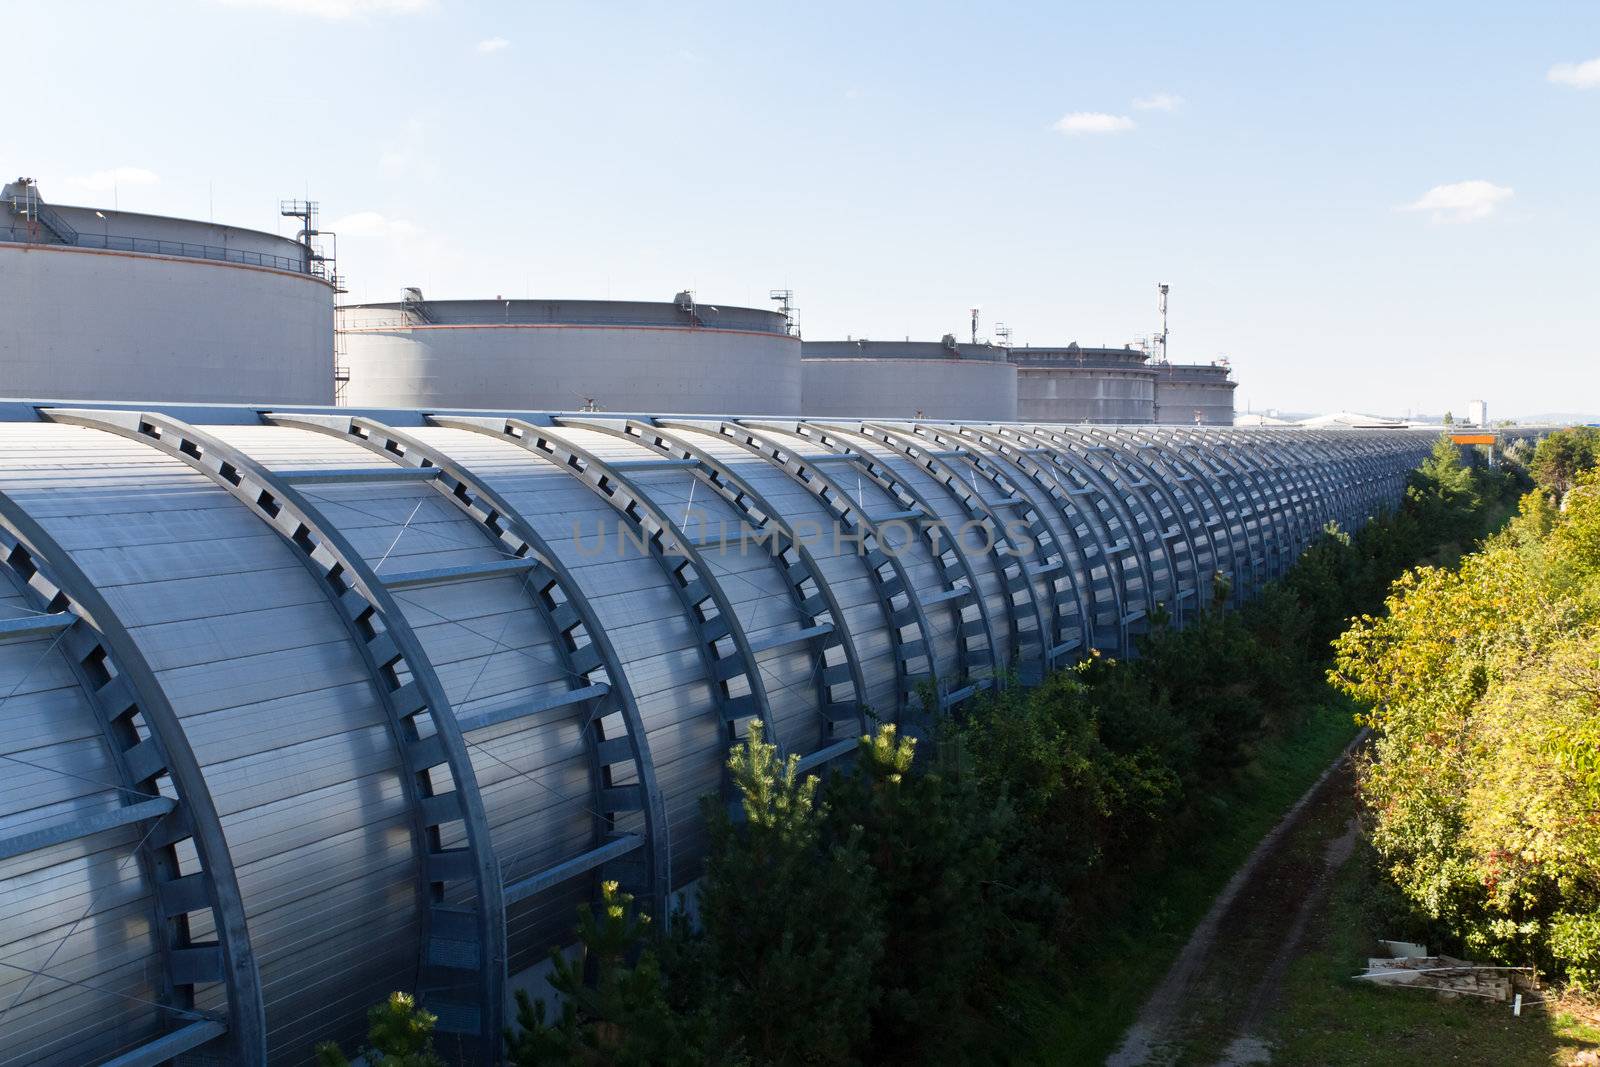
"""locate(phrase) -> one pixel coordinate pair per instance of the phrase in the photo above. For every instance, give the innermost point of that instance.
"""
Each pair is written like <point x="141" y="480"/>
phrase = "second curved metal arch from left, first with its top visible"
<point x="458" y="938"/>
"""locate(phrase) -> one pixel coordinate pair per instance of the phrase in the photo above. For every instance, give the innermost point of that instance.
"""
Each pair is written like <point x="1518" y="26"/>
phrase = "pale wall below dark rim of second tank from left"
<point x="559" y="366"/>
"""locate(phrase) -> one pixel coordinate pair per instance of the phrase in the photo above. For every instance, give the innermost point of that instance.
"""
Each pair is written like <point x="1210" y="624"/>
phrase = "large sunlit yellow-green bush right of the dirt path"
<point x="1484" y="692"/>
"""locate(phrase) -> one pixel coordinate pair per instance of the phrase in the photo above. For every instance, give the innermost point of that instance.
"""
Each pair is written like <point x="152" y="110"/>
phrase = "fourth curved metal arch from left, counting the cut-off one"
<point x="690" y="577"/>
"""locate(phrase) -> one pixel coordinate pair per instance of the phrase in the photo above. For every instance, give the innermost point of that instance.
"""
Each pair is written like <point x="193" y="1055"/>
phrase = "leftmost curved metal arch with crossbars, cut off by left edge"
<point x="182" y="852"/>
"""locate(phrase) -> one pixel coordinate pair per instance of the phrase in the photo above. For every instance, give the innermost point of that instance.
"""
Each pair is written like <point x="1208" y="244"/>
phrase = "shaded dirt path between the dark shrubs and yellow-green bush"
<point x="1220" y="988"/>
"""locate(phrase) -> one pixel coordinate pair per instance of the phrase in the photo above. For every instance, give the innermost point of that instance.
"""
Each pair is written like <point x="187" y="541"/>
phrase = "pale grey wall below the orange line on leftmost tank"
<point x="114" y="326"/>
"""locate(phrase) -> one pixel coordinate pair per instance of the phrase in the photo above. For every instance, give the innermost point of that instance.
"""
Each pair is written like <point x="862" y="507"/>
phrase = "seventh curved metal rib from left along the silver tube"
<point x="975" y="637"/>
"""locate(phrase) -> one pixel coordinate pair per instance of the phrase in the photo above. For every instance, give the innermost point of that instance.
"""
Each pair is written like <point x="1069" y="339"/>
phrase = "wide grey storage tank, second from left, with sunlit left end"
<point x="569" y="356"/>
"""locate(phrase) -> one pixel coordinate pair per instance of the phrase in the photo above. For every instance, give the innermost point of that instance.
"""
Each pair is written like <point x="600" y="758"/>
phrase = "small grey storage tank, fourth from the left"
<point x="1078" y="385"/>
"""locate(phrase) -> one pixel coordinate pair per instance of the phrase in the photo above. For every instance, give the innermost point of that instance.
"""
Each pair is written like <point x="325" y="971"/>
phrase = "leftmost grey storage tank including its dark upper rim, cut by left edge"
<point x="121" y="306"/>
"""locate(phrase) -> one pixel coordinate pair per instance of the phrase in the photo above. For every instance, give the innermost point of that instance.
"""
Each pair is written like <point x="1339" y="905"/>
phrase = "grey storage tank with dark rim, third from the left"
<point x="908" y="380"/>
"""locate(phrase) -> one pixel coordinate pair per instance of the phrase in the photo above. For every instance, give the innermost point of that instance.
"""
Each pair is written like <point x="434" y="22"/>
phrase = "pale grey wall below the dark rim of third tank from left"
<point x="903" y="388"/>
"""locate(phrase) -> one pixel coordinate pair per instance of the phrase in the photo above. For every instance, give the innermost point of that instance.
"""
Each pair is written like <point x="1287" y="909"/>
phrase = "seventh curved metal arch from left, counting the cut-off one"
<point x="951" y="562"/>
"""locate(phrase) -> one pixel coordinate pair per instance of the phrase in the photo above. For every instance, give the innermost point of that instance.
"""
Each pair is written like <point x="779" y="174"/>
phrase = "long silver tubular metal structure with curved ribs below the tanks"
<point x="310" y="706"/>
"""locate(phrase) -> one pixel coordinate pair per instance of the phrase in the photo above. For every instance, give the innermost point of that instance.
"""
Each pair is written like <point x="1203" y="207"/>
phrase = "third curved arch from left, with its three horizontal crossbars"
<point x="599" y="690"/>
